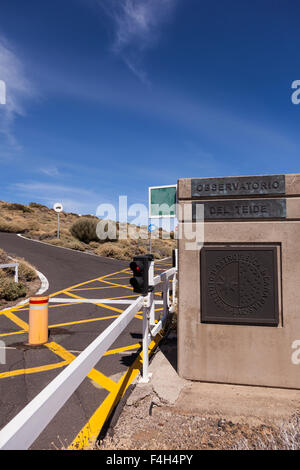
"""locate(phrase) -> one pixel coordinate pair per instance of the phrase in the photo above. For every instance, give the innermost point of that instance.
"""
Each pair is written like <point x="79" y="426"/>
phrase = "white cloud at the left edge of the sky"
<point x="18" y="89"/>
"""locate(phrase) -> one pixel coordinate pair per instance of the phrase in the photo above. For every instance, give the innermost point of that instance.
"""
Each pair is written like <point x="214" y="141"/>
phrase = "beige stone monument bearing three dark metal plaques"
<point x="239" y="291"/>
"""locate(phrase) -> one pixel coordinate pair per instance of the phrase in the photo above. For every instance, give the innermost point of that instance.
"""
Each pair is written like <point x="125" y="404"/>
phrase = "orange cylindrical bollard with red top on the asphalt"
<point x="38" y="320"/>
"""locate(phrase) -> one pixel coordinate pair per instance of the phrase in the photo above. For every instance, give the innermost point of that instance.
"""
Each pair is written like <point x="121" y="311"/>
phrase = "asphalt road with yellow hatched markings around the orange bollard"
<point x="72" y="327"/>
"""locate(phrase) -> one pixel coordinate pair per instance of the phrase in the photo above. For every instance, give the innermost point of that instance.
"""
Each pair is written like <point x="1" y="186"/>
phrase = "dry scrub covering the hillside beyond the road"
<point x="38" y="222"/>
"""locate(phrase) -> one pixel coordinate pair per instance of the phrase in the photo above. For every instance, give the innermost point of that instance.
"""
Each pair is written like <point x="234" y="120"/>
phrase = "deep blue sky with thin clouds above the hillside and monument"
<point x="108" y="97"/>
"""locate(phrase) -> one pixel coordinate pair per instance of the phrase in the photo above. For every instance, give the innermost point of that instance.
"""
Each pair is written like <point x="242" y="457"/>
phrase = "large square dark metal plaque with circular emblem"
<point x="239" y="285"/>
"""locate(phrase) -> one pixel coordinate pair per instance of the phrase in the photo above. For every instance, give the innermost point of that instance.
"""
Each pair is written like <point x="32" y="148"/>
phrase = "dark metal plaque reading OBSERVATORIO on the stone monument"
<point x="238" y="186"/>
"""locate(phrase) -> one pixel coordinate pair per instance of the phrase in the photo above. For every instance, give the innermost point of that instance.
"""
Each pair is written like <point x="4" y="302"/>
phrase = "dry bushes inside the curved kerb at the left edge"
<point x="28" y="281"/>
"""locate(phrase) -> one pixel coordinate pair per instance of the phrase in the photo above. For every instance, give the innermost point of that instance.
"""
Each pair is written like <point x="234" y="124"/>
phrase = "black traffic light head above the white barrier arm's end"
<point x="140" y="268"/>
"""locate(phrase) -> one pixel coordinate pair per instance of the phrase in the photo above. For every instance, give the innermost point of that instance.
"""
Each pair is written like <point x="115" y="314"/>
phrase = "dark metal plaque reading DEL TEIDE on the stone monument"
<point x="242" y="209"/>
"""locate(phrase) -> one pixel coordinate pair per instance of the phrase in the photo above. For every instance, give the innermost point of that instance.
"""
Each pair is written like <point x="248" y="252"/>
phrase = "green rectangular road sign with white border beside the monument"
<point x="162" y="201"/>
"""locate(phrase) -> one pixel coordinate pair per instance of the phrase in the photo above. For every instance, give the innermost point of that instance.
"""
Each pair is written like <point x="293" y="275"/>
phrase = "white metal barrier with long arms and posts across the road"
<point x="23" y="429"/>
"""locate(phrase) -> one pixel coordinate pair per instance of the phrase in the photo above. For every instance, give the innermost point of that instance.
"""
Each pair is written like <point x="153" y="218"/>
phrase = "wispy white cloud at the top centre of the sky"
<point x="137" y="26"/>
